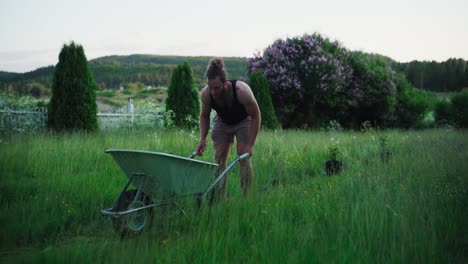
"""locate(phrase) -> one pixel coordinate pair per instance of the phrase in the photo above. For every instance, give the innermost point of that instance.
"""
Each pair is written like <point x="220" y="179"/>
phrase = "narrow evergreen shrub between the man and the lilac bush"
<point x="261" y="90"/>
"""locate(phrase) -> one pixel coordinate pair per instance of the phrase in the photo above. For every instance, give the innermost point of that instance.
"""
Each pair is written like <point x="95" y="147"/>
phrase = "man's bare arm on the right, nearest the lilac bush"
<point x="246" y="97"/>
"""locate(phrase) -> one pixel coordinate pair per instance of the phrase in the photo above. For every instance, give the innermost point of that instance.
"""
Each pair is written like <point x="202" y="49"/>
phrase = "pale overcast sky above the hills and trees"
<point x="33" y="31"/>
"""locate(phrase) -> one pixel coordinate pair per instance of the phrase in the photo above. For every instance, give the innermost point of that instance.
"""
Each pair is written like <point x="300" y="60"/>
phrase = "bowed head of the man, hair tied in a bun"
<point x="216" y="76"/>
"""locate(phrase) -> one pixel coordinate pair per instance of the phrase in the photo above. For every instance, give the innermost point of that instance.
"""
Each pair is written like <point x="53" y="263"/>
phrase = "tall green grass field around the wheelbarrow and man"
<point x="411" y="209"/>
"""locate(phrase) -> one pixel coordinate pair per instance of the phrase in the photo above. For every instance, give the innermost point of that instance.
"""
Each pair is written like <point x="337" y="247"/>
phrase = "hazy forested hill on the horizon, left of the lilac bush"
<point x="111" y="72"/>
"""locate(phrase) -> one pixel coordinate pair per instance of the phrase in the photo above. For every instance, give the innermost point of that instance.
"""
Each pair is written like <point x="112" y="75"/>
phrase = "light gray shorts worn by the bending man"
<point x="224" y="133"/>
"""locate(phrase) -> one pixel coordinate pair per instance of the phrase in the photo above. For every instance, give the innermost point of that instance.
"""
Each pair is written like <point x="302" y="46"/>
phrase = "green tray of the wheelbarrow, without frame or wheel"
<point x="162" y="175"/>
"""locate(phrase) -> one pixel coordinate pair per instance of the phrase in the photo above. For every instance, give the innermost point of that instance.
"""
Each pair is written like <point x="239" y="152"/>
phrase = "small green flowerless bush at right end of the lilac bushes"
<point x="411" y="106"/>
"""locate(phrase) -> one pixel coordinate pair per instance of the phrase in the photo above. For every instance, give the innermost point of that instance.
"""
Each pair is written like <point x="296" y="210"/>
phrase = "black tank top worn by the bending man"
<point x="230" y="115"/>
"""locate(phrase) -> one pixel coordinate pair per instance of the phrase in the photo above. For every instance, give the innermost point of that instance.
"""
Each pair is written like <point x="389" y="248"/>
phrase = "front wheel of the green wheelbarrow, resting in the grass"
<point x="132" y="224"/>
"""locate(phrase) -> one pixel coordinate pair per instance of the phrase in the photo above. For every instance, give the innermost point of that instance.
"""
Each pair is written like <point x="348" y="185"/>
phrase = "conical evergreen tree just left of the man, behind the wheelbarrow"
<point x="183" y="98"/>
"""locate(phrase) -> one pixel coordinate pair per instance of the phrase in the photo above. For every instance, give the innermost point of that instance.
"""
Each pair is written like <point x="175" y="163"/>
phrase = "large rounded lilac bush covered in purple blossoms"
<point x="303" y="72"/>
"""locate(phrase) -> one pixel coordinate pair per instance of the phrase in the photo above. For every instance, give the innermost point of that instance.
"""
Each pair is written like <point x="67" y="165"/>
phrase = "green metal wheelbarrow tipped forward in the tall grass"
<point x="159" y="179"/>
